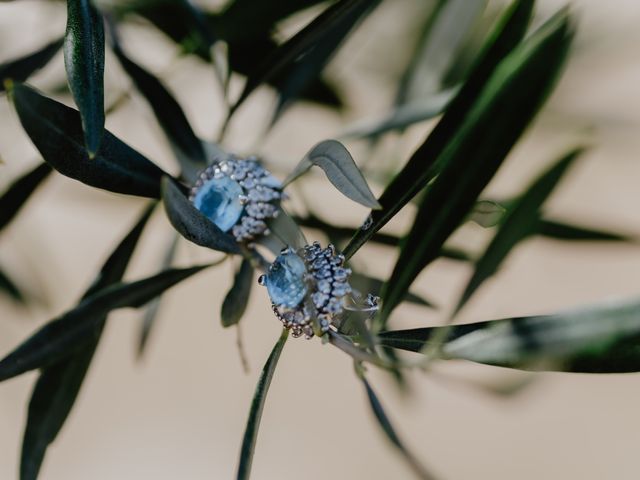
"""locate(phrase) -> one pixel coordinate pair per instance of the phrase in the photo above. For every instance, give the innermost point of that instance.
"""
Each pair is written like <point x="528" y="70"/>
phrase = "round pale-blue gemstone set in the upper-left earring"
<point x="219" y="200"/>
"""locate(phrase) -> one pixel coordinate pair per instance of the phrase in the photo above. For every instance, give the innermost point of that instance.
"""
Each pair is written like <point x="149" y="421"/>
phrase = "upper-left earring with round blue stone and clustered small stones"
<point x="238" y="195"/>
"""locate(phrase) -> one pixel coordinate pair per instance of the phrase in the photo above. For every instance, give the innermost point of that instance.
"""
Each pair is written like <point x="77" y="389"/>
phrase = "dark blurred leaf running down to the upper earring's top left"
<point x="169" y="114"/>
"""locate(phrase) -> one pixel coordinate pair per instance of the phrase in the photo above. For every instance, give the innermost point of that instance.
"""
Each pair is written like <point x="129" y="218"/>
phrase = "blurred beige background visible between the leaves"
<point x="180" y="411"/>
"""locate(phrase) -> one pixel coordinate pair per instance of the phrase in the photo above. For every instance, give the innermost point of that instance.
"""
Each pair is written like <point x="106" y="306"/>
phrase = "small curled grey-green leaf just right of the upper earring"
<point x="341" y="170"/>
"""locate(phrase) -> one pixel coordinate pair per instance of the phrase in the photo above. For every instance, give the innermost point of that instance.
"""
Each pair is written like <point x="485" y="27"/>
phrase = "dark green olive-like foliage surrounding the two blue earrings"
<point x="483" y="112"/>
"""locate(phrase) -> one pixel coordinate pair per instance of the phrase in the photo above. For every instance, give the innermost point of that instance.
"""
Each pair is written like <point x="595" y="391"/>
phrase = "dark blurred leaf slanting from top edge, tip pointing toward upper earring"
<point x="301" y="44"/>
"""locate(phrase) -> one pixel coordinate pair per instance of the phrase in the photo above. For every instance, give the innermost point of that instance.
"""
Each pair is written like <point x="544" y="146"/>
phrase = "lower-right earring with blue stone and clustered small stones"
<point x="306" y="285"/>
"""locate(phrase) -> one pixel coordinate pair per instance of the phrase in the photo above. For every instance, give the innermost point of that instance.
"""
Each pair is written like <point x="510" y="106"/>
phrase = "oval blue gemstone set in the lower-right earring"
<point x="285" y="280"/>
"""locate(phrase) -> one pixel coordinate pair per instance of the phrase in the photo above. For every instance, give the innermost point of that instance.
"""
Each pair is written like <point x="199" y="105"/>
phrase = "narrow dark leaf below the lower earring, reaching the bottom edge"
<point x="257" y="406"/>
